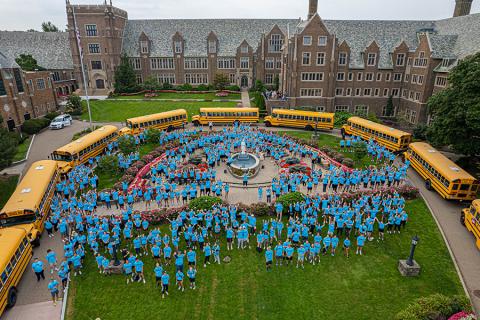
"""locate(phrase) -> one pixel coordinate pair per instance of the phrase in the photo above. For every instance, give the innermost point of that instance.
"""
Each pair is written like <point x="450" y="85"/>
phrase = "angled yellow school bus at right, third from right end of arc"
<point x="391" y="138"/>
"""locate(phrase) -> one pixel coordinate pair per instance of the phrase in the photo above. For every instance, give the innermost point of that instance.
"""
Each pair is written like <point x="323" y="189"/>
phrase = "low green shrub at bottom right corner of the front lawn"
<point x="436" y="306"/>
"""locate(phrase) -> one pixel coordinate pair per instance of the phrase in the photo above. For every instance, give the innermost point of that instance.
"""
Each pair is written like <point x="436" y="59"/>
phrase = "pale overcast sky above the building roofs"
<point x="27" y="14"/>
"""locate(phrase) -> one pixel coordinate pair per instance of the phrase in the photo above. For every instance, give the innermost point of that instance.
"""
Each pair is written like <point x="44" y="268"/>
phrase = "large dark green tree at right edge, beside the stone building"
<point x="456" y="110"/>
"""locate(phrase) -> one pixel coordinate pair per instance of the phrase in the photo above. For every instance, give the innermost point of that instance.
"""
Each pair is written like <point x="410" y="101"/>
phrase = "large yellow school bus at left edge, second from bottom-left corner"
<point x="29" y="205"/>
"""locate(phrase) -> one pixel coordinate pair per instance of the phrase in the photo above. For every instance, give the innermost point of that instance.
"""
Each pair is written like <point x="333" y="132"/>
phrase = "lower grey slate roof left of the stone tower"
<point x="50" y="49"/>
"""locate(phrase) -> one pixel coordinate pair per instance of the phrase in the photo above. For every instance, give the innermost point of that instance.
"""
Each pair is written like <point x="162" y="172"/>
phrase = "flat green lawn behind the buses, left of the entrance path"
<point x="118" y="111"/>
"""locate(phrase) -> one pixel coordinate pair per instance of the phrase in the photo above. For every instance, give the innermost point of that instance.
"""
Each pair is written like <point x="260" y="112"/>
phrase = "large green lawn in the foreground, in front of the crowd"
<point x="362" y="287"/>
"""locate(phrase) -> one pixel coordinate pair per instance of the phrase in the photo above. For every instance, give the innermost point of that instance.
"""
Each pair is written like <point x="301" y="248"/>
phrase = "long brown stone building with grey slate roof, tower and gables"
<point x="329" y="65"/>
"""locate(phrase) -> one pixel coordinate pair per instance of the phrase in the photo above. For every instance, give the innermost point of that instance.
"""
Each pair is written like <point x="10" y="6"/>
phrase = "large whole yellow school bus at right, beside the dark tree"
<point x="440" y="173"/>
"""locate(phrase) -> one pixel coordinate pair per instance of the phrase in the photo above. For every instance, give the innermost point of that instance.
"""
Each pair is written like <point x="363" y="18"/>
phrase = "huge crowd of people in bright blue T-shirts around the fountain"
<point x="323" y="223"/>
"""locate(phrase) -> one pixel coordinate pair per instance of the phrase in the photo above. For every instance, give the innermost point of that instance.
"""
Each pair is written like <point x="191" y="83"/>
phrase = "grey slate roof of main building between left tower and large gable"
<point x="230" y="34"/>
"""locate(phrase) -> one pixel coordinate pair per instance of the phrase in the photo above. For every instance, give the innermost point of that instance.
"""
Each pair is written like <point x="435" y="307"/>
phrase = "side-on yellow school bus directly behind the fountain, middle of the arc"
<point x="226" y="115"/>
